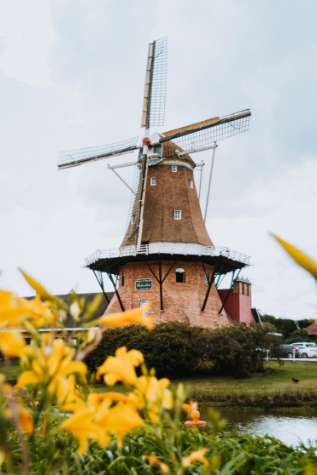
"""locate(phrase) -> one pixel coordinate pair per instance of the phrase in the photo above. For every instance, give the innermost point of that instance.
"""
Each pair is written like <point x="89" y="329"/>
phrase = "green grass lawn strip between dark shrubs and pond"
<point x="275" y="386"/>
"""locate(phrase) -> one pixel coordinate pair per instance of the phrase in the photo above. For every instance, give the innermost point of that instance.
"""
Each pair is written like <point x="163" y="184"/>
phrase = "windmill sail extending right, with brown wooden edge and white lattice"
<point x="202" y="135"/>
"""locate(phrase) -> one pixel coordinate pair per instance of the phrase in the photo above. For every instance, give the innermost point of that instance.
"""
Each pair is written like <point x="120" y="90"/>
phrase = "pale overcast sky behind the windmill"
<point x="72" y="75"/>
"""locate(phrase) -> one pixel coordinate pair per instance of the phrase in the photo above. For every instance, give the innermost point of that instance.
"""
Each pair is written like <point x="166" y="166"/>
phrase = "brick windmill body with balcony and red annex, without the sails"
<point x="176" y="268"/>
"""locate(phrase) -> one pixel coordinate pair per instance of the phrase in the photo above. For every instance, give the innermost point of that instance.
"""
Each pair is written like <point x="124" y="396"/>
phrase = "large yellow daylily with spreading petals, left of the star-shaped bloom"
<point x="51" y="364"/>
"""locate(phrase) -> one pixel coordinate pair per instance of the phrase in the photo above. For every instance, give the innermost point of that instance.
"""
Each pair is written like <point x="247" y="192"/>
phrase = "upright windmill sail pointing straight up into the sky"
<point x="155" y="89"/>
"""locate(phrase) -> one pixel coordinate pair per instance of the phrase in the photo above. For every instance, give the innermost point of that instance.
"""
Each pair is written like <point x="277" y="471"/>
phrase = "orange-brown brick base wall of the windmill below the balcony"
<point x="182" y="301"/>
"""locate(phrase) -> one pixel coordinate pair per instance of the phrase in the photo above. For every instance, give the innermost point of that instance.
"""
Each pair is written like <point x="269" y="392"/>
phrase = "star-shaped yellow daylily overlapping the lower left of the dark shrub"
<point x="121" y="367"/>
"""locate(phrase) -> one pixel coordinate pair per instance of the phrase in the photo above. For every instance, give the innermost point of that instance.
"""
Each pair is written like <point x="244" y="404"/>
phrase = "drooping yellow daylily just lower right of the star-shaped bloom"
<point x="153" y="395"/>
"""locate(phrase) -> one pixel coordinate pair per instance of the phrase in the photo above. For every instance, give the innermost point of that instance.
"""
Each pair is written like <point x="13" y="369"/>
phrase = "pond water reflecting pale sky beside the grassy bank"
<point x="292" y="426"/>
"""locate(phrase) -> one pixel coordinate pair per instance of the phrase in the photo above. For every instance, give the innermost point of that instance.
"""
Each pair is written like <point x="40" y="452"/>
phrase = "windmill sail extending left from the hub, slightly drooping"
<point x="74" y="158"/>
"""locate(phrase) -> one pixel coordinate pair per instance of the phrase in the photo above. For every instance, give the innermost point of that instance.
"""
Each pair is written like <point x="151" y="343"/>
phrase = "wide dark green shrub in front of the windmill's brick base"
<point x="177" y="349"/>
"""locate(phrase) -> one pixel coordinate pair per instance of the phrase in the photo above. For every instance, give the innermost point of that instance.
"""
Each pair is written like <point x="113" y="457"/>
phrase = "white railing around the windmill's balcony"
<point x="168" y="248"/>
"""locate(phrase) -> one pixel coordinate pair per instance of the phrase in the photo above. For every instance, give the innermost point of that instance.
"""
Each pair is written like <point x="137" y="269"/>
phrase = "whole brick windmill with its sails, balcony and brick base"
<point x="166" y="257"/>
